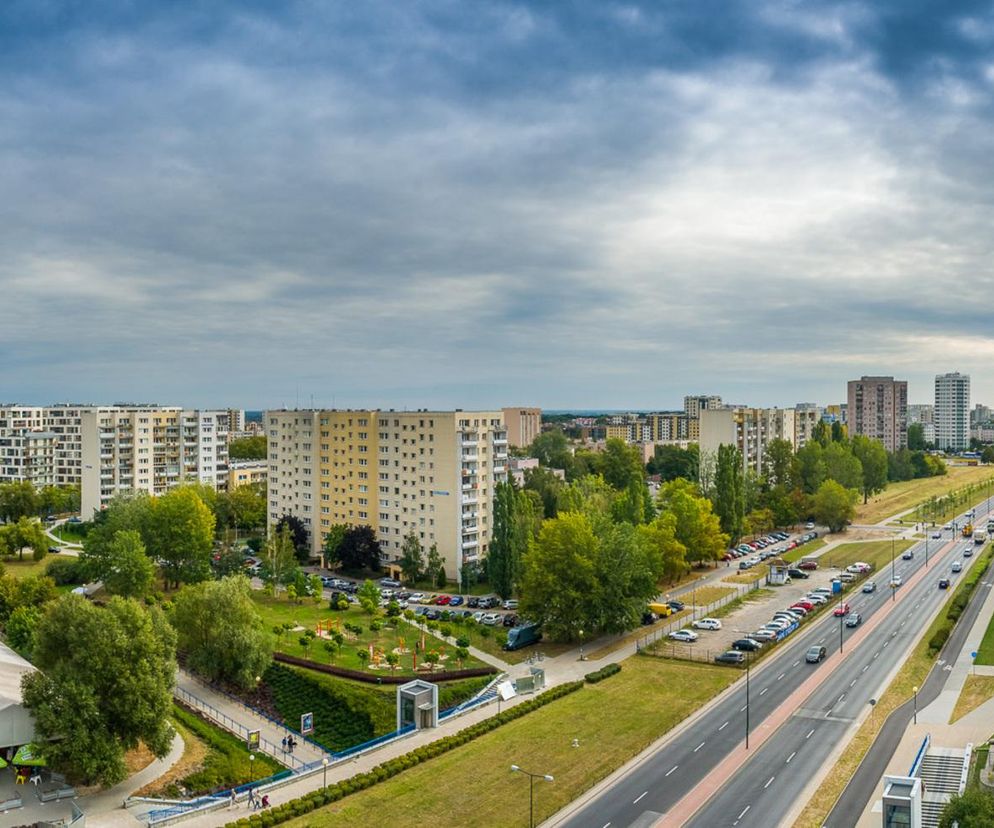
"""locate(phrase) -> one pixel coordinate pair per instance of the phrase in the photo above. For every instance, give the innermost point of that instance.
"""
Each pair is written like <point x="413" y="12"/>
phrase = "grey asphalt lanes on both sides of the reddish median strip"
<point x="767" y="787"/>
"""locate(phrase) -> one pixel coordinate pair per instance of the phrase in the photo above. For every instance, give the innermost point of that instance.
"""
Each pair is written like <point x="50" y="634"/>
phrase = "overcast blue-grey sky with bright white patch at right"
<point x="408" y="204"/>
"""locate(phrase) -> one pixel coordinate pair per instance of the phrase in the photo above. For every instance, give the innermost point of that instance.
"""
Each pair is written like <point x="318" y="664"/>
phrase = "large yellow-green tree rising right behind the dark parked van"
<point x="559" y="578"/>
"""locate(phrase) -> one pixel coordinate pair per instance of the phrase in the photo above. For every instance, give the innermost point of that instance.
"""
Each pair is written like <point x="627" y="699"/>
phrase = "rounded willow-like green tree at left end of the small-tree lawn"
<point x="221" y="631"/>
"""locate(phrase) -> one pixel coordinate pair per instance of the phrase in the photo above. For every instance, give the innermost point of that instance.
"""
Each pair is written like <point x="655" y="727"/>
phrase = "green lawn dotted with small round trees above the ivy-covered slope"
<point x="307" y="614"/>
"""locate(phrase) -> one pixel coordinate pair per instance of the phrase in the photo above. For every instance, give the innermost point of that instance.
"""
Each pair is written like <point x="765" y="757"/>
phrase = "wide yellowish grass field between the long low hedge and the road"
<point x="473" y="785"/>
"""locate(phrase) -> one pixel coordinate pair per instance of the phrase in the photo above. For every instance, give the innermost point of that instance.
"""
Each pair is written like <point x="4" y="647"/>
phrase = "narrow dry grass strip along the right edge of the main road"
<point x="912" y="674"/>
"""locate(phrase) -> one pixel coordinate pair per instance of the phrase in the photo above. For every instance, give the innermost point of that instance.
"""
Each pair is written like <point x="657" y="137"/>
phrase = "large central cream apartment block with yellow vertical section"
<point x="430" y="472"/>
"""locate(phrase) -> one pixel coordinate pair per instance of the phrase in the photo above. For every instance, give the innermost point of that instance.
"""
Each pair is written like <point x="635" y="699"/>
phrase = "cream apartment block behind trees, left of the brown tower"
<point x="749" y="429"/>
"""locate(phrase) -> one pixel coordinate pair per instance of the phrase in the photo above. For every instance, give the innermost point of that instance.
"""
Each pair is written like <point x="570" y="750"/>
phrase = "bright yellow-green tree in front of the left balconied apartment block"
<point x="179" y="534"/>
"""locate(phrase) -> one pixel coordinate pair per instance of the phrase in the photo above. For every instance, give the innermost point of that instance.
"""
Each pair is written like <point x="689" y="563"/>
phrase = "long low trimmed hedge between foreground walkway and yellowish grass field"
<point x="360" y="782"/>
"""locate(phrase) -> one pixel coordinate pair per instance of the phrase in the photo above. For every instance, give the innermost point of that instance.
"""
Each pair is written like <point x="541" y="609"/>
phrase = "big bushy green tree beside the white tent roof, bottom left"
<point x="89" y="701"/>
